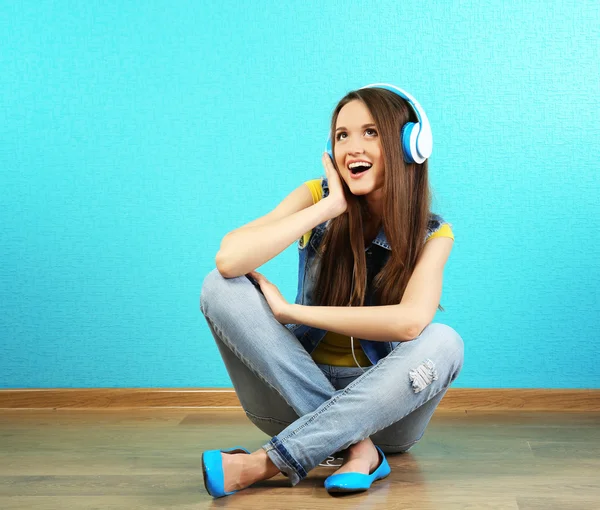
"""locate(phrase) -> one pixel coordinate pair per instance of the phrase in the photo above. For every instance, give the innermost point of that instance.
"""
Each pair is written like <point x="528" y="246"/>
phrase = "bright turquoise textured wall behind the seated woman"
<point x="134" y="136"/>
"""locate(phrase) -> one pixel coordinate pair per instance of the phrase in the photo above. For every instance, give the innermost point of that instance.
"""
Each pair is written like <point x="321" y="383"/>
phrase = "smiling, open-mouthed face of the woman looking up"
<point x="357" y="141"/>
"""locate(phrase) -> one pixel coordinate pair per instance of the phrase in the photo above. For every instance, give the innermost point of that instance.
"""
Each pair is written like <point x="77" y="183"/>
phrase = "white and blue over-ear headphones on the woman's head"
<point x="416" y="138"/>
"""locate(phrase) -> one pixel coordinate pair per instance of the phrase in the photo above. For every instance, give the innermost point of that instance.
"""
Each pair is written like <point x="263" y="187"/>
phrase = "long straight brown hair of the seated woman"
<point x="406" y="210"/>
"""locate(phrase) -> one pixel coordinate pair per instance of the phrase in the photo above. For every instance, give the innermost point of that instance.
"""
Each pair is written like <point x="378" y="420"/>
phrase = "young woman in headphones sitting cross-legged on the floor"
<point x="355" y="364"/>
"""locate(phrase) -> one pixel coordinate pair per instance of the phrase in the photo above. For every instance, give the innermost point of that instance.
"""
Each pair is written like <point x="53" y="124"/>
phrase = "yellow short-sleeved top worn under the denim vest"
<point x="335" y="348"/>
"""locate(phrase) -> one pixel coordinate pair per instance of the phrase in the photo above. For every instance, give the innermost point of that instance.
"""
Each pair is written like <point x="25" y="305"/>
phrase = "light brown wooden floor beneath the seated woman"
<point x="151" y="459"/>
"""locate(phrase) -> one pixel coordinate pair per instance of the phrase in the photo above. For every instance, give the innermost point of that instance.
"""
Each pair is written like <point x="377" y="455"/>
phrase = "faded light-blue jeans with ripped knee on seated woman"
<point x="310" y="410"/>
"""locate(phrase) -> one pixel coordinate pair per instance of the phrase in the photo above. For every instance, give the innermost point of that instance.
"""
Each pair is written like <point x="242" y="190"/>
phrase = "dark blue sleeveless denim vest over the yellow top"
<point x="376" y="254"/>
